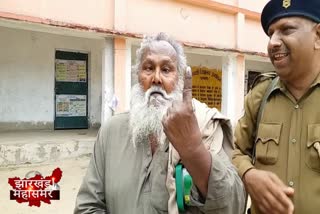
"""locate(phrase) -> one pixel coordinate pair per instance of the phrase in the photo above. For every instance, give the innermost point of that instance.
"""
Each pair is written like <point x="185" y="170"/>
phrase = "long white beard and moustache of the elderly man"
<point x="147" y="110"/>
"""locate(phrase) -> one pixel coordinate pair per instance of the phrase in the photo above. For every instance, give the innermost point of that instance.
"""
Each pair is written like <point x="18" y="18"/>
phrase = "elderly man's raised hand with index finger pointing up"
<point x="180" y="123"/>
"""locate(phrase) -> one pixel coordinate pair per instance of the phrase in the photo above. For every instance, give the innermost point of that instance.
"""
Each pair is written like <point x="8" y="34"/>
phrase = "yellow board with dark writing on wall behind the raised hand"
<point x="206" y="85"/>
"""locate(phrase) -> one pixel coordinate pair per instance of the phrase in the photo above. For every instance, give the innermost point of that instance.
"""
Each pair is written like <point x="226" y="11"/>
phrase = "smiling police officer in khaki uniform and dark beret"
<point x="278" y="154"/>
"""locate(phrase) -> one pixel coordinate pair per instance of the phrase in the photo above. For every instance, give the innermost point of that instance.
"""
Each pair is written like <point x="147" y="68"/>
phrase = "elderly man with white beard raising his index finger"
<point x="132" y="166"/>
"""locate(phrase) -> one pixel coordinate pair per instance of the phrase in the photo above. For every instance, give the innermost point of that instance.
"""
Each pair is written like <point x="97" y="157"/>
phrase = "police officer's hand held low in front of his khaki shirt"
<point x="268" y="192"/>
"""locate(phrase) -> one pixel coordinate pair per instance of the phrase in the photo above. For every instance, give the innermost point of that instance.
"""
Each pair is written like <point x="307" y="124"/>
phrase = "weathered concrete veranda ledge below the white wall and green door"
<point x="25" y="147"/>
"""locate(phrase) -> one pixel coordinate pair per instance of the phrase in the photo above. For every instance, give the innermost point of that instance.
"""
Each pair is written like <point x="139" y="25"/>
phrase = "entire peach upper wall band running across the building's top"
<point x="186" y="20"/>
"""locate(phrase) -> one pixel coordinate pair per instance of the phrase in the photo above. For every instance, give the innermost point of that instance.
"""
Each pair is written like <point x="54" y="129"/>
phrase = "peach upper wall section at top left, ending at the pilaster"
<point x="95" y="13"/>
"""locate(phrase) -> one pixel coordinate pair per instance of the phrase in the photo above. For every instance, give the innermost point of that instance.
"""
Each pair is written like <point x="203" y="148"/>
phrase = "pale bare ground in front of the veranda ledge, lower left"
<point x="73" y="171"/>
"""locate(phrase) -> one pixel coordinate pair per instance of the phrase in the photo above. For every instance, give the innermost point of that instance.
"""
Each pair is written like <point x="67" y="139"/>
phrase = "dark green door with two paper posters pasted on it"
<point x="71" y="90"/>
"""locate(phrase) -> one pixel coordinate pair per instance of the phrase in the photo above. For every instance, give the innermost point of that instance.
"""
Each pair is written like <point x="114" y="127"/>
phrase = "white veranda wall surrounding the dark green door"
<point x="27" y="74"/>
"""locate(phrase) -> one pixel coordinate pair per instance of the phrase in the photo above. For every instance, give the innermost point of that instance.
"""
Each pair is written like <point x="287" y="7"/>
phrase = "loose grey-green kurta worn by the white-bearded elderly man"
<point x="122" y="179"/>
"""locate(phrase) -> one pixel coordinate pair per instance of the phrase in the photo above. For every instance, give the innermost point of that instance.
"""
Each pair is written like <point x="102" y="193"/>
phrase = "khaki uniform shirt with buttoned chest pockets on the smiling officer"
<point x="286" y="139"/>
